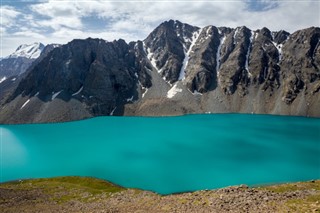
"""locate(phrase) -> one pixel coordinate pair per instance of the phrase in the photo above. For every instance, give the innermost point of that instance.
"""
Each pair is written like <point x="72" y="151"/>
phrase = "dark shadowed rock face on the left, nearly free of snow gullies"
<point x="99" y="73"/>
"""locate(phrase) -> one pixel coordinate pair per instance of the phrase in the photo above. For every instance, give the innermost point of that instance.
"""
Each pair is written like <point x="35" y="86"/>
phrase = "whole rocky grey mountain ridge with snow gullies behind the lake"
<point x="177" y="69"/>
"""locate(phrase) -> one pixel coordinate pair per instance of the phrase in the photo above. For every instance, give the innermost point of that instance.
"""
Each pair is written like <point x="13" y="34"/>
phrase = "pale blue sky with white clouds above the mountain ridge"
<point x="60" y="21"/>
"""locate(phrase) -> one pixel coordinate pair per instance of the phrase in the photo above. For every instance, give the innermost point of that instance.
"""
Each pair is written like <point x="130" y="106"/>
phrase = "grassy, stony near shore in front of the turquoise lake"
<point x="82" y="194"/>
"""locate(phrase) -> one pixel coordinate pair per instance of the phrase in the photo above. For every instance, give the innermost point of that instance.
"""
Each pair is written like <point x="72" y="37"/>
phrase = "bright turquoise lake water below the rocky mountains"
<point x="169" y="154"/>
